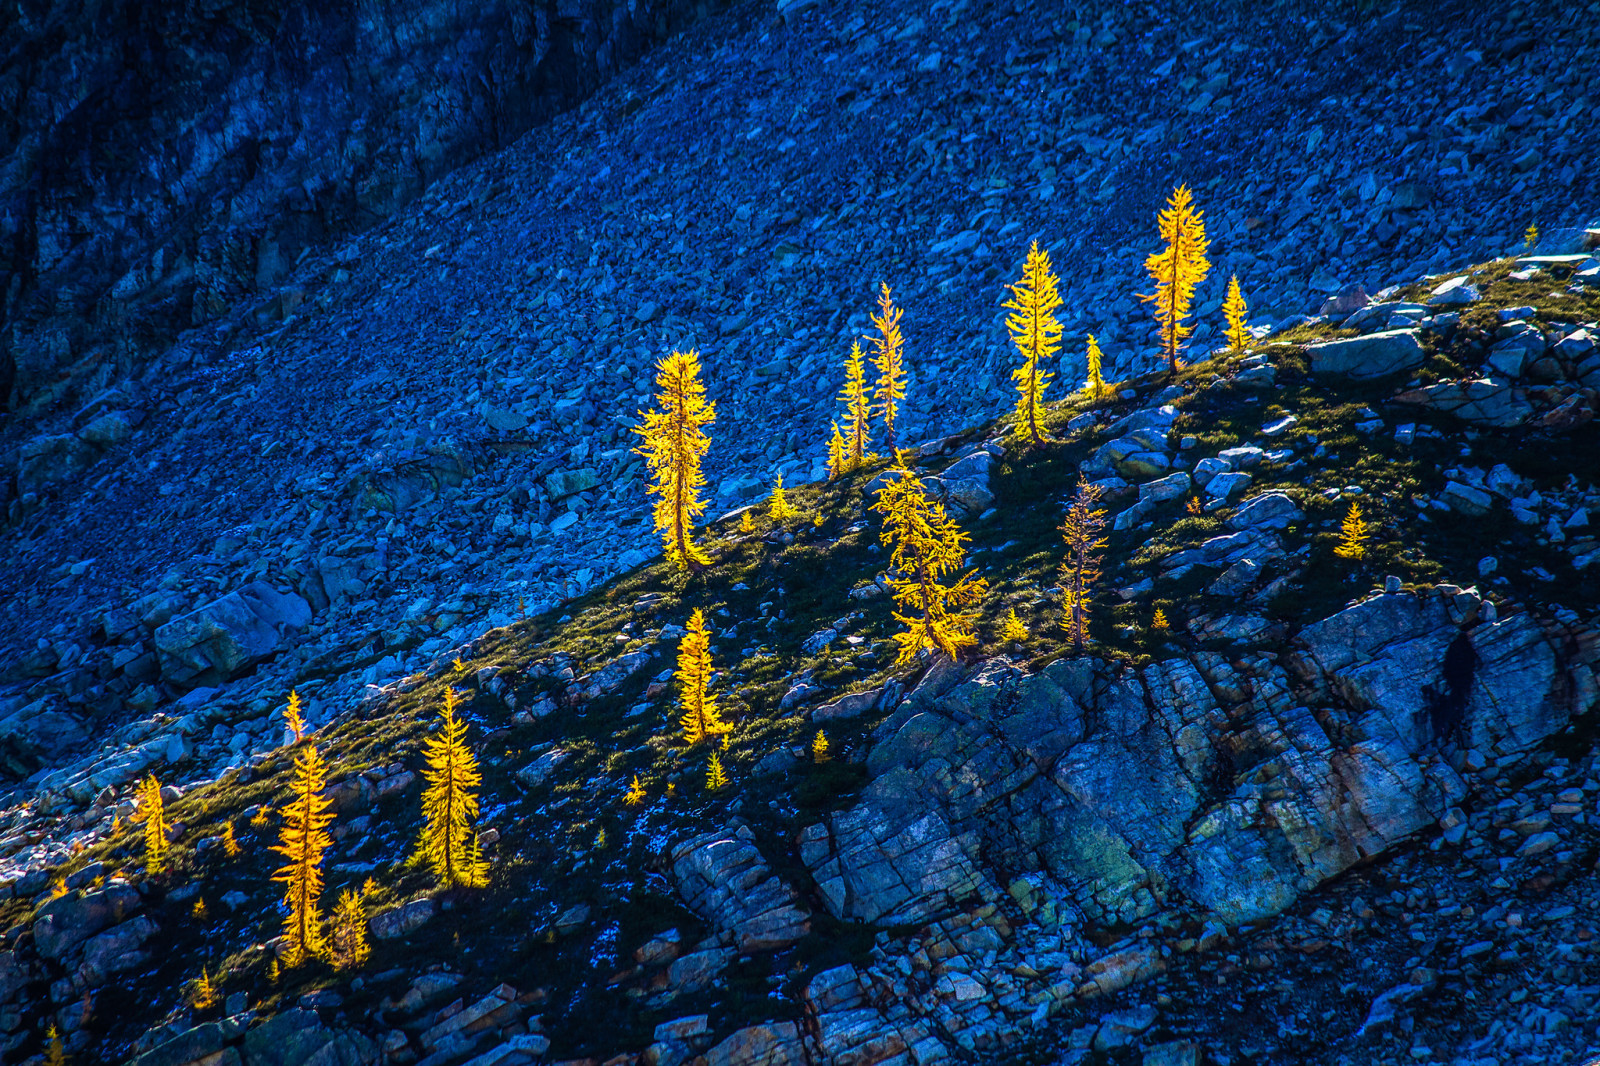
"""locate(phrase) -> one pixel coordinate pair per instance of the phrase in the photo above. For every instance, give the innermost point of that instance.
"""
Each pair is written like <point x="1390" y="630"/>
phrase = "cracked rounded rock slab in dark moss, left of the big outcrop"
<point x="726" y="881"/>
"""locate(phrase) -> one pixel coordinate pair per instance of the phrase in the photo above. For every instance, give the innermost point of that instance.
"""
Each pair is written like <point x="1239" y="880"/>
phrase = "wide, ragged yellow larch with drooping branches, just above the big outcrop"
<point x="927" y="548"/>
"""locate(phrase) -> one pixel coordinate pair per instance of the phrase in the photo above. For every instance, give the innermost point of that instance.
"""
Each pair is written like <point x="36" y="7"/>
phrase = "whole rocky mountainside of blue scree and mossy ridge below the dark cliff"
<point x="1332" y="811"/>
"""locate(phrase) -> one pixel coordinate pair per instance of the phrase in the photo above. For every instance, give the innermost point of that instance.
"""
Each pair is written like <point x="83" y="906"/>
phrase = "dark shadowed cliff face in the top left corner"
<point x="164" y="162"/>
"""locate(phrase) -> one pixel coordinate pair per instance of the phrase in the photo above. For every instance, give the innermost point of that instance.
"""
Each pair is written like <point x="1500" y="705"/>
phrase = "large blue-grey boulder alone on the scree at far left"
<point x="228" y="636"/>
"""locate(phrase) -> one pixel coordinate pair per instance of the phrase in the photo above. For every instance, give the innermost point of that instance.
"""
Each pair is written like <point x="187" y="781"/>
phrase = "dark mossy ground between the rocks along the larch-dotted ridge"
<point x="574" y="840"/>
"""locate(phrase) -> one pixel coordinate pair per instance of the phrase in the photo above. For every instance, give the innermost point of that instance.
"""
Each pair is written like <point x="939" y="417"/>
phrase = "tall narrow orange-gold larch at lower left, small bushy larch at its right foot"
<point x="303" y="838"/>
